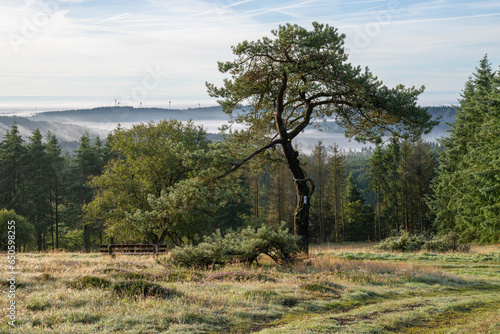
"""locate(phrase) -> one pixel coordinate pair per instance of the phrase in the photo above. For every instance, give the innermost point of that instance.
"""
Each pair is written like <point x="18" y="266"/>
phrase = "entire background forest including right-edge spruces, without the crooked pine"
<point x="137" y="184"/>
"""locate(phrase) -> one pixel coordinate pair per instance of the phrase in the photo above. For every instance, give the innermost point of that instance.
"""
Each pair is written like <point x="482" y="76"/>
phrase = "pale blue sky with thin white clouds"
<point x="60" y="54"/>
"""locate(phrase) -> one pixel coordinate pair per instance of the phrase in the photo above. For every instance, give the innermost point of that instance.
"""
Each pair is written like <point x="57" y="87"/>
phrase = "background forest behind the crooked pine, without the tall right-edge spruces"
<point x="140" y="185"/>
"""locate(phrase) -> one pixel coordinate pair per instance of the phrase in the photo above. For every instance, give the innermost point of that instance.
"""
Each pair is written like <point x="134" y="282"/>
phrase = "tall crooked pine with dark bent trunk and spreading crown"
<point x="279" y="85"/>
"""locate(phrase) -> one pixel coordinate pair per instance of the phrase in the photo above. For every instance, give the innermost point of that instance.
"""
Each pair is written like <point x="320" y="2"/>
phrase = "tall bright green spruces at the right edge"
<point x="468" y="184"/>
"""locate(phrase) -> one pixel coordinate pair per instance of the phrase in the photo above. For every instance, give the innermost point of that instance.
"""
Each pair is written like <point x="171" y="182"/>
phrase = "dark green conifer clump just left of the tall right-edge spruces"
<point x="401" y="174"/>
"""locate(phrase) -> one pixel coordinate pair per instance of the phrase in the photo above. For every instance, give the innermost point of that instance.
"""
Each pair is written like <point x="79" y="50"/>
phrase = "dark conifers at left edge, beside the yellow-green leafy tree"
<point x="46" y="191"/>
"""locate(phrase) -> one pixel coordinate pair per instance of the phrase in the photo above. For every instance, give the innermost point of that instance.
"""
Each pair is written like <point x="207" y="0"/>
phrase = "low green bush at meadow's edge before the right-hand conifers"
<point x="406" y="242"/>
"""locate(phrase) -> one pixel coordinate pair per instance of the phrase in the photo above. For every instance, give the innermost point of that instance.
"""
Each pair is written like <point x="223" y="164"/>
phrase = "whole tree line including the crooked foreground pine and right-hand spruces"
<point x="166" y="182"/>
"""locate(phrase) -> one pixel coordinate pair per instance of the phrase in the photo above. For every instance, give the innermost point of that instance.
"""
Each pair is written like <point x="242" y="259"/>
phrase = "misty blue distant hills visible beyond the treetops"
<point x="69" y="125"/>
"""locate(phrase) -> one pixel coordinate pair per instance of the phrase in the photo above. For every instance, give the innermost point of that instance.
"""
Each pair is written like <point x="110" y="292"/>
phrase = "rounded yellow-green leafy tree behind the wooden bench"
<point x="149" y="160"/>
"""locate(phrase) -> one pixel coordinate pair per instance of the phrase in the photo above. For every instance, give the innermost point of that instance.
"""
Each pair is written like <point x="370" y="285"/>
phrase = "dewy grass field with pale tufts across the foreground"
<point x="339" y="289"/>
